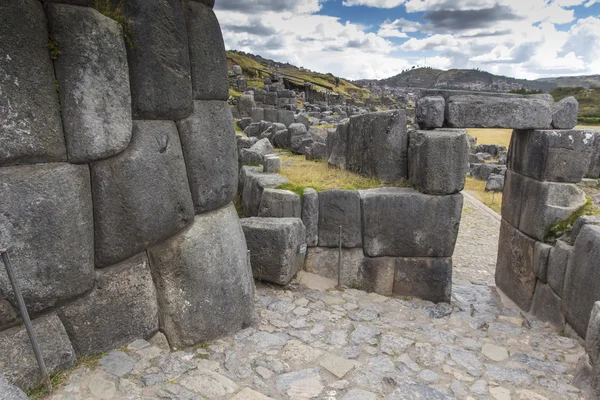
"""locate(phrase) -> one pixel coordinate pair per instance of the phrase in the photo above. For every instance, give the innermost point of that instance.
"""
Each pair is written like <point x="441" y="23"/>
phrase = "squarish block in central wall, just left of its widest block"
<point x="340" y="207"/>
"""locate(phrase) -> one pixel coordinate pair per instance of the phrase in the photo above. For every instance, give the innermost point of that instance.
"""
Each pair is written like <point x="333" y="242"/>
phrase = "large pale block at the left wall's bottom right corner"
<point x="203" y="279"/>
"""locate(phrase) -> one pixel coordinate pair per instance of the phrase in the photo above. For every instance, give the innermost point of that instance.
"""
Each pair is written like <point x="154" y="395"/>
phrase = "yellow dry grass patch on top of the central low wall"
<point x="303" y="173"/>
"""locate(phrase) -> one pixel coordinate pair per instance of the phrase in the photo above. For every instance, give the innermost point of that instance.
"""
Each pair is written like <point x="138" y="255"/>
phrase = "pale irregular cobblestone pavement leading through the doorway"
<point x="349" y="345"/>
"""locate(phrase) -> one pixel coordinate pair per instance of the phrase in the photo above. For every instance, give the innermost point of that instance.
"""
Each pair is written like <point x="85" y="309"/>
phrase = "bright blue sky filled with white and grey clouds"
<point x="375" y="39"/>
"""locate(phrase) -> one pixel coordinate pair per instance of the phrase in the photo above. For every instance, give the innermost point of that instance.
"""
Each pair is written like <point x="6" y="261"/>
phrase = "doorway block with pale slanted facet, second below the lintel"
<point x="545" y="204"/>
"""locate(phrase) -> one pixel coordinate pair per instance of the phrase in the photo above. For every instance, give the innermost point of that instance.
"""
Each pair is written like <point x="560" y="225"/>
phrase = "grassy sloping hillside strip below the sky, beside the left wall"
<point x="249" y="61"/>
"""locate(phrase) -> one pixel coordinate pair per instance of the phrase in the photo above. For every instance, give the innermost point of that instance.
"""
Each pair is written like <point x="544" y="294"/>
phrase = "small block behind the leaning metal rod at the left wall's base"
<point x="17" y="361"/>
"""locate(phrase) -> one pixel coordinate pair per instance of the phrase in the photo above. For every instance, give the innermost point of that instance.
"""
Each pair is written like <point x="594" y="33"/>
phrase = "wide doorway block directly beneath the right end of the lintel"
<point x="551" y="155"/>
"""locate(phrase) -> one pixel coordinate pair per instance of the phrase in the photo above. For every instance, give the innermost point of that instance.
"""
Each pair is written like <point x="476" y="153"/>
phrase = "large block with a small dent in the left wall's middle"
<point x="141" y="196"/>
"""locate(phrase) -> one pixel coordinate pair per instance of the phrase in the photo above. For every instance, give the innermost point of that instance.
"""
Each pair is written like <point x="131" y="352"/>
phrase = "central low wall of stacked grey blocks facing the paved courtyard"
<point x="395" y="241"/>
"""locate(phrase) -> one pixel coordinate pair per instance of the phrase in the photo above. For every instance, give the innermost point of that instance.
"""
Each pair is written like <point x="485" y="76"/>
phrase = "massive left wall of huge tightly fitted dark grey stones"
<point x="118" y="166"/>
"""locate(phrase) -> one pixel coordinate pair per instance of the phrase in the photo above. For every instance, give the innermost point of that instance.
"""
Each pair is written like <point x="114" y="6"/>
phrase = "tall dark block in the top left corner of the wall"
<point x="30" y="124"/>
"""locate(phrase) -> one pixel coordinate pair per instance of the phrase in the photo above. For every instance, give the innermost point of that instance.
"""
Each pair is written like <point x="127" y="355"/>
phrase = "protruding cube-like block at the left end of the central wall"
<point x="277" y="247"/>
